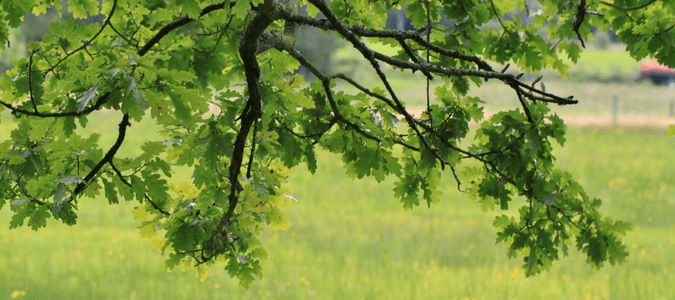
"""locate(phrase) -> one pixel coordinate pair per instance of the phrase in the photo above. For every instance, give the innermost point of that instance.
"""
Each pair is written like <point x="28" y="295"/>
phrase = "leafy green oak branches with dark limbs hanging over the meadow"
<point x="219" y="79"/>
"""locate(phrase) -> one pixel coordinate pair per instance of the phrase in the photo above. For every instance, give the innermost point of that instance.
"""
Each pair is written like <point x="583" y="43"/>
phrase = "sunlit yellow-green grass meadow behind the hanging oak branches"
<point x="352" y="240"/>
